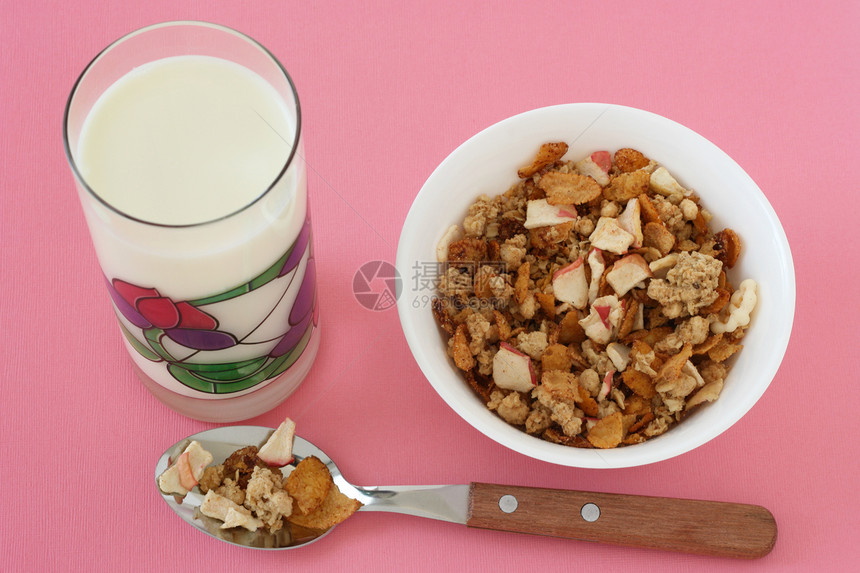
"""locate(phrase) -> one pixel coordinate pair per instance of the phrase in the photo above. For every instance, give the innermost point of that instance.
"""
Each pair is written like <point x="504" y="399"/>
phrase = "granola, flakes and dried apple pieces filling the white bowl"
<point x="589" y="304"/>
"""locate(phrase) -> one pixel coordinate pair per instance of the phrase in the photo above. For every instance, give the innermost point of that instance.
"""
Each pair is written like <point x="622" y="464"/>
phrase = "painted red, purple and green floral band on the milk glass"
<point x="192" y="337"/>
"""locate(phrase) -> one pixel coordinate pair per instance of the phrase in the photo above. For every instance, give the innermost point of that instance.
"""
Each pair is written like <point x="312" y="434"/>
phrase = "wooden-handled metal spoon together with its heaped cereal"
<point x="270" y="489"/>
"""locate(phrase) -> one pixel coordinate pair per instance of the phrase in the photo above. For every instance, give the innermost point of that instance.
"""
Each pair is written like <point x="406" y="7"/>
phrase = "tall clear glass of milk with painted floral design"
<point x="185" y="142"/>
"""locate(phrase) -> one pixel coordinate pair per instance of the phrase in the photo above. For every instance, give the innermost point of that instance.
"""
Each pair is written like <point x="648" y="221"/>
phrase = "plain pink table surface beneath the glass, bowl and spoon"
<point x="388" y="90"/>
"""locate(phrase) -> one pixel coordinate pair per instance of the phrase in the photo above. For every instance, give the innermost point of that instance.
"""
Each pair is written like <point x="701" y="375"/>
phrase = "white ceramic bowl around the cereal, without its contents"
<point x="487" y="163"/>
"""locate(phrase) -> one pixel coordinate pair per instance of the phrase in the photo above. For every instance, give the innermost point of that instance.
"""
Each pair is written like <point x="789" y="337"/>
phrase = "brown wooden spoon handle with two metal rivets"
<point x="685" y="525"/>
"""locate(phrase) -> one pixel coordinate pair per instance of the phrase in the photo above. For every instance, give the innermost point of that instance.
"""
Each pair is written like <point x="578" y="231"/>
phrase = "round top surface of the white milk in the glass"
<point x="185" y="140"/>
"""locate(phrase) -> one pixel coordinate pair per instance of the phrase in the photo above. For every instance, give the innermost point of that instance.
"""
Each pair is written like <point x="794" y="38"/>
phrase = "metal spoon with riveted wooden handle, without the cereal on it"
<point x="689" y="526"/>
